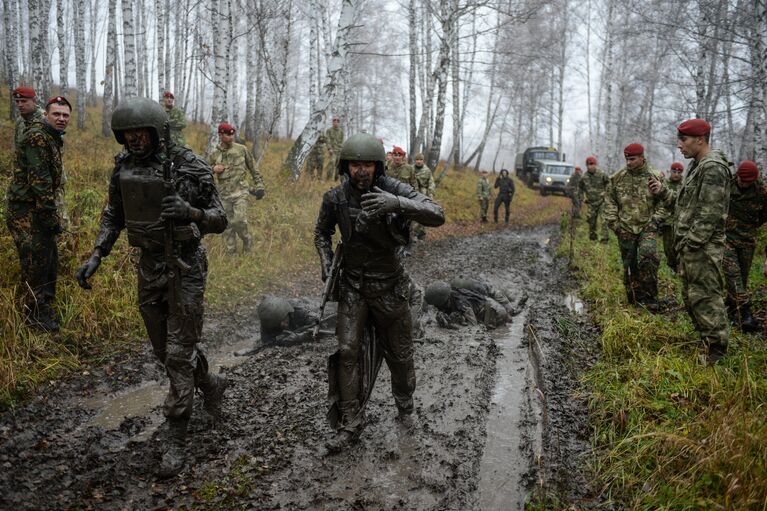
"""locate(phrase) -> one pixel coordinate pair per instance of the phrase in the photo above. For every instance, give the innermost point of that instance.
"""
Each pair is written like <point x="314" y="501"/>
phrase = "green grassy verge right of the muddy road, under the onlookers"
<point x="669" y="432"/>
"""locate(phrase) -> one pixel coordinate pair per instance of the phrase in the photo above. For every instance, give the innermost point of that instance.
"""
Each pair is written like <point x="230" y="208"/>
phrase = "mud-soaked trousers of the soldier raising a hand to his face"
<point x="385" y="304"/>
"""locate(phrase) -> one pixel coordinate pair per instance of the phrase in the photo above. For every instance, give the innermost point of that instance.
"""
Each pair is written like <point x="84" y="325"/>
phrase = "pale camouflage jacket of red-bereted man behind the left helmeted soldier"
<point x="238" y="163"/>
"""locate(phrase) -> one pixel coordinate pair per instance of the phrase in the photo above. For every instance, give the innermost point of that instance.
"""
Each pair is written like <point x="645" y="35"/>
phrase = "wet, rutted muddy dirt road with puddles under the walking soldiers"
<point x="498" y="414"/>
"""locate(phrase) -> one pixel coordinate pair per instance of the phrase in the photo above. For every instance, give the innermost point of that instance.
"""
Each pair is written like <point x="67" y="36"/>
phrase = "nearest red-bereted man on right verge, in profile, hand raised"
<point x="700" y="213"/>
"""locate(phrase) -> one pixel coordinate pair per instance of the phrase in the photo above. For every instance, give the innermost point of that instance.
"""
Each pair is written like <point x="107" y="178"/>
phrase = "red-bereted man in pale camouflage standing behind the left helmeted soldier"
<point x="232" y="163"/>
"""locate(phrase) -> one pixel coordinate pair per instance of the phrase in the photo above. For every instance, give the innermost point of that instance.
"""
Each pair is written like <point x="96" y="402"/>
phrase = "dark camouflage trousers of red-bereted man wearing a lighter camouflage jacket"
<point x="639" y="255"/>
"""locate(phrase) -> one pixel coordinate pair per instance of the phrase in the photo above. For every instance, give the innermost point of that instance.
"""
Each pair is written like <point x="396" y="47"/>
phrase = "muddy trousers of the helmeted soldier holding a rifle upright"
<point x="175" y="331"/>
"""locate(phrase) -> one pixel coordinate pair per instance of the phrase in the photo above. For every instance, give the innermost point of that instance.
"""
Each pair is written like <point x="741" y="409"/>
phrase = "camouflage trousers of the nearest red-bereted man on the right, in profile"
<point x="703" y="289"/>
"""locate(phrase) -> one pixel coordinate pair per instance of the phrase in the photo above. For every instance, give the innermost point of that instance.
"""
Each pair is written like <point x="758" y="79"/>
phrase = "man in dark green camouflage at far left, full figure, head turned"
<point x="32" y="215"/>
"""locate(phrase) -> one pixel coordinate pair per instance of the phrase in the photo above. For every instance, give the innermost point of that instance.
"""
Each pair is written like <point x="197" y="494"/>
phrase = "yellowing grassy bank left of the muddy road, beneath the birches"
<point x="99" y="323"/>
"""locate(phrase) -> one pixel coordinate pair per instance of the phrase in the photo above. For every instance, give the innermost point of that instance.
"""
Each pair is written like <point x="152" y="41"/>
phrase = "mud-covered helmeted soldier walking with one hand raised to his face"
<point x="373" y="213"/>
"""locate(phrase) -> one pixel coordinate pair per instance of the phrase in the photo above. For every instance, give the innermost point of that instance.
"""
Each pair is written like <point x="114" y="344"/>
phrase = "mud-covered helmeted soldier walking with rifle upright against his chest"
<point x="164" y="196"/>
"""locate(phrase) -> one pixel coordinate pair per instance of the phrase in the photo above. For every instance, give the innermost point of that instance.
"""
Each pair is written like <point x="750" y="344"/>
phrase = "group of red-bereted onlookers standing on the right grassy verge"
<point x="708" y="220"/>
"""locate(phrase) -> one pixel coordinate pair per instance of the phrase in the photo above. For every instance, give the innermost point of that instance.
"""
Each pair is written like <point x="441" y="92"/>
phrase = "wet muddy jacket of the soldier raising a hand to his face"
<point x="370" y="243"/>
